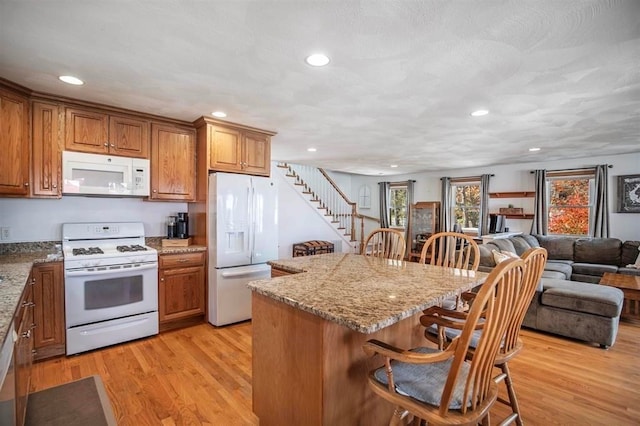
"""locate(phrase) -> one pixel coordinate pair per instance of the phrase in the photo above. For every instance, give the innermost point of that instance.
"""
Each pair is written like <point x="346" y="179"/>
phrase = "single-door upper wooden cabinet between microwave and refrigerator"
<point x="173" y="163"/>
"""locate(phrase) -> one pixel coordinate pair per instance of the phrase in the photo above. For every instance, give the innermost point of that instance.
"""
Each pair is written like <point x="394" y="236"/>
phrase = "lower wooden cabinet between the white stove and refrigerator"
<point x="181" y="289"/>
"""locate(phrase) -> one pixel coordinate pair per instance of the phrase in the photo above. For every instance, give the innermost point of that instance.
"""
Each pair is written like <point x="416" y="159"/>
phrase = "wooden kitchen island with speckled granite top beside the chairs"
<point x="309" y="328"/>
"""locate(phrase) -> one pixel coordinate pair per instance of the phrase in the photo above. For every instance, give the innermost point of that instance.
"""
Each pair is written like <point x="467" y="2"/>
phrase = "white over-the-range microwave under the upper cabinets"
<point x="94" y="174"/>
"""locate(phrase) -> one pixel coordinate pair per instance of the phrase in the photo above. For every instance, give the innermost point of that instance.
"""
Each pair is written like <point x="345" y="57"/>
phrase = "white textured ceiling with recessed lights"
<point x="404" y="75"/>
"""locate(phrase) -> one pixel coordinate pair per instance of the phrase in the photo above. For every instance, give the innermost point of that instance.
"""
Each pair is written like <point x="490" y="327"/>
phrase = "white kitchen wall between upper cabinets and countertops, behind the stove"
<point x="41" y="219"/>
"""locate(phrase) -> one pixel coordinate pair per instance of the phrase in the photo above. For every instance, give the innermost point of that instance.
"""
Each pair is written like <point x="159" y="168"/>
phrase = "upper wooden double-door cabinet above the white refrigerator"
<point x="235" y="148"/>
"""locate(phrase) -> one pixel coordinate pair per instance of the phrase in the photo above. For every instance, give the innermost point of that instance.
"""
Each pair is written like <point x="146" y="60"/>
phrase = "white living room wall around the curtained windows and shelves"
<point x="516" y="177"/>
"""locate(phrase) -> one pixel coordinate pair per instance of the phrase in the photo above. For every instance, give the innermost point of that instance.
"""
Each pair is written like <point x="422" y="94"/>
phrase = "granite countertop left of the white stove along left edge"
<point x="14" y="272"/>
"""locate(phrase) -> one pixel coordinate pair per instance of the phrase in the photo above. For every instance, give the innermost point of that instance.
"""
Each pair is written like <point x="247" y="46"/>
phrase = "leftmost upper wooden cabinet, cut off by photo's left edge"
<point x="14" y="144"/>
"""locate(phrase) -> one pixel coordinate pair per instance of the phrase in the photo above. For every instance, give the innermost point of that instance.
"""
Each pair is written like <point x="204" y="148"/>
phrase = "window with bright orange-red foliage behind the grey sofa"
<point x="570" y="198"/>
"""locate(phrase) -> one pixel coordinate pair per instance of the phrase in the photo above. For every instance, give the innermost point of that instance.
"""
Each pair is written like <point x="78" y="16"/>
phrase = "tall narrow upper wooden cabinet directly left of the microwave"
<point x="46" y="169"/>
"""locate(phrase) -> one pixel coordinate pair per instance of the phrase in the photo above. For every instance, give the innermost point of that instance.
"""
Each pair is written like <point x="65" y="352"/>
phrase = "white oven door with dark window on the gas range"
<point x="110" y="293"/>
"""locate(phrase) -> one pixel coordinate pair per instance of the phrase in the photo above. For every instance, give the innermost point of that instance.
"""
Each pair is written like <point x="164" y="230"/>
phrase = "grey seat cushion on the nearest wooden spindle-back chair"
<point x="425" y="382"/>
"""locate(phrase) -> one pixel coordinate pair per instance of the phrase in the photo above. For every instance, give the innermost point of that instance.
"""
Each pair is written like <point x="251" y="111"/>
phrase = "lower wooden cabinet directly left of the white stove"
<point x="48" y="296"/>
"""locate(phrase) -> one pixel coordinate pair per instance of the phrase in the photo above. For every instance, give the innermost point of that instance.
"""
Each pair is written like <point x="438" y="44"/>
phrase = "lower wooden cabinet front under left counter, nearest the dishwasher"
<point x="23" y="351"/>
